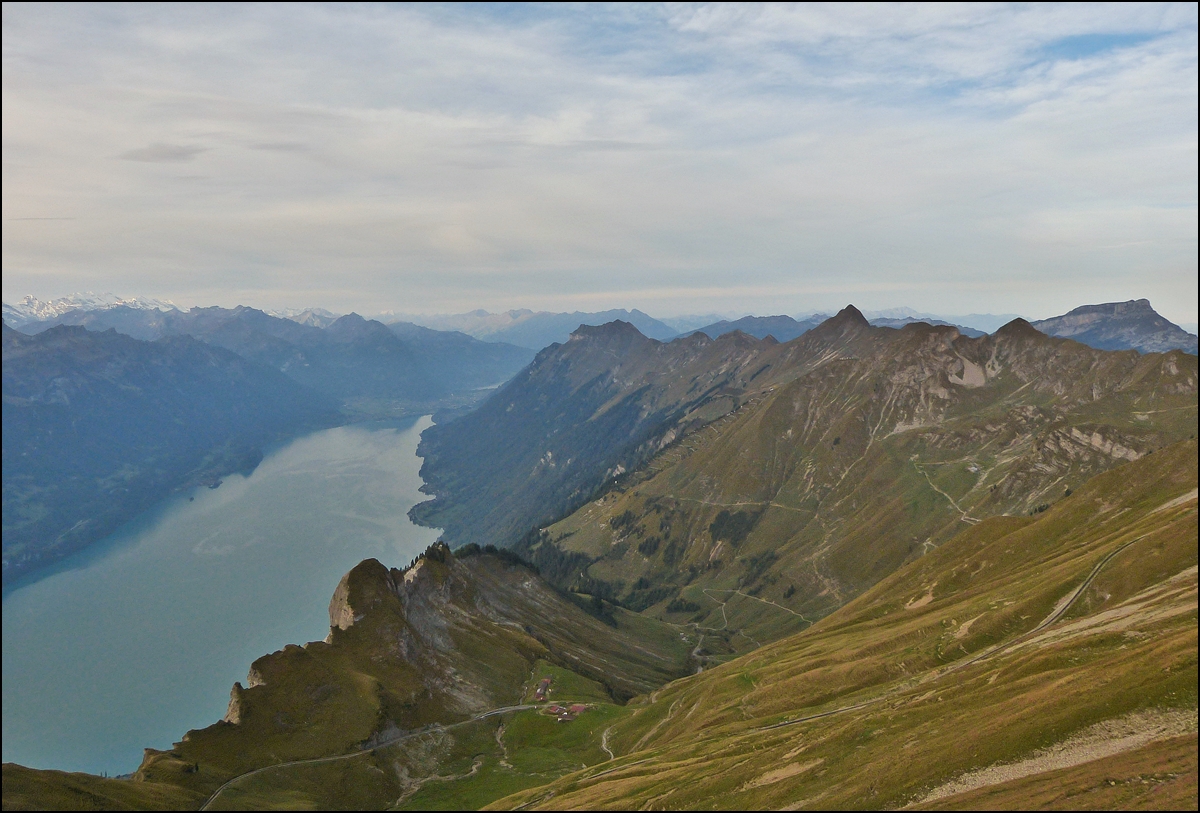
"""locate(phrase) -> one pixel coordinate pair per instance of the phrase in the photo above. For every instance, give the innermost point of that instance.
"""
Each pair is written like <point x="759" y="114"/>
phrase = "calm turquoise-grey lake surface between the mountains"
<point x="140" y="639"/>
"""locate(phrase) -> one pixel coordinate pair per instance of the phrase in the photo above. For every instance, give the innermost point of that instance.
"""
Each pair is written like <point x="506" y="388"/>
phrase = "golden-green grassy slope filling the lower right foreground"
<point x="905" y="648"/>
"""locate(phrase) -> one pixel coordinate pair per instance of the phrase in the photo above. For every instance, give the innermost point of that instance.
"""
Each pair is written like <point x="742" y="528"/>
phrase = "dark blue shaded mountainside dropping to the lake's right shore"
<point x="581" y="413"/>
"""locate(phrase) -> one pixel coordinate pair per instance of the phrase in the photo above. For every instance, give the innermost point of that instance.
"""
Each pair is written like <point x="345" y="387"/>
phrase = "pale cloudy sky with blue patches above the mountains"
<point x="681" y="159"/>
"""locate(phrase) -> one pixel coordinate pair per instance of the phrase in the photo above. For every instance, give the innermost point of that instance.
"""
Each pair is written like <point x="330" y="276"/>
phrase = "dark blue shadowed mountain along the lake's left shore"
<point x="98" y="427"/>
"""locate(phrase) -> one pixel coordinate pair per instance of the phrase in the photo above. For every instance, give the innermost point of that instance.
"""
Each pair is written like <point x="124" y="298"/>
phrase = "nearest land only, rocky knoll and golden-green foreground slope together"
<point x="1061" y="642"/>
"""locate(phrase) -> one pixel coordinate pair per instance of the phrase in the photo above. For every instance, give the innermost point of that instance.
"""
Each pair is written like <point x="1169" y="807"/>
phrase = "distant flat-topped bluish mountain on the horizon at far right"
<point x="1131" y="326"/>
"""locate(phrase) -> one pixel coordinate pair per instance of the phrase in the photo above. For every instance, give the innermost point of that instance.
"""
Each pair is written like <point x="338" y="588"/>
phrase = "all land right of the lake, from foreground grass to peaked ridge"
<point x="869" y="568"/>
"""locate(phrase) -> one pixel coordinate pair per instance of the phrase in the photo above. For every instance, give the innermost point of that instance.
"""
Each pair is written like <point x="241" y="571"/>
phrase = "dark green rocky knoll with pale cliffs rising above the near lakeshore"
<point x="428" y="651"/>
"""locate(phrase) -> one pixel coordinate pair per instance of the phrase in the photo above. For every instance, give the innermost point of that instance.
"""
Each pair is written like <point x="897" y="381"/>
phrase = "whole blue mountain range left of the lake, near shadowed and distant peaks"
<point x="110" y="411"/>
